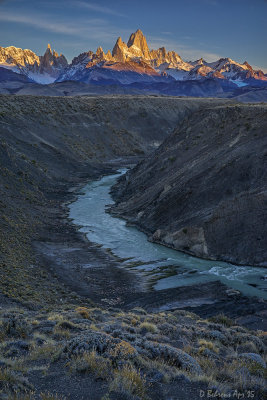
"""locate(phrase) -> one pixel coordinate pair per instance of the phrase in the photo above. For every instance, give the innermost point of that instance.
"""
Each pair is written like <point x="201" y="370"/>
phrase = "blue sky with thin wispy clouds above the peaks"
<point x="197" y="28"/>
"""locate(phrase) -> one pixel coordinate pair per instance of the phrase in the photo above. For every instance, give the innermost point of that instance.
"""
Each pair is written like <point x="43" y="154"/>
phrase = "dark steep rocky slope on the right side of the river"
<point x="204" y="190"/>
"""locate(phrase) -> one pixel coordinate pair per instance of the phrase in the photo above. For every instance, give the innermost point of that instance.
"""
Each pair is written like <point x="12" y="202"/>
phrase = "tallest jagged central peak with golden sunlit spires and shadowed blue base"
<point x="128" y="63"/>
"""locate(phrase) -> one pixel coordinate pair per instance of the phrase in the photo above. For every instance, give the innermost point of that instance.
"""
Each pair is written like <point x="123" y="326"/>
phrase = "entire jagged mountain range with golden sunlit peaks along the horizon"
<point x="134" y="65"/>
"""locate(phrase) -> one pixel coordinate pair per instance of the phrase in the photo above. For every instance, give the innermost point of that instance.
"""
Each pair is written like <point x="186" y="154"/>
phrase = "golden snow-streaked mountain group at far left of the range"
<point x="41" y="69"/>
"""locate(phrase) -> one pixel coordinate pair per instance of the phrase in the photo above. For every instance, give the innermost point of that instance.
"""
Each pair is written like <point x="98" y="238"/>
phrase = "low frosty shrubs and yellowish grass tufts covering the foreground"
<point x="131" y="354"/>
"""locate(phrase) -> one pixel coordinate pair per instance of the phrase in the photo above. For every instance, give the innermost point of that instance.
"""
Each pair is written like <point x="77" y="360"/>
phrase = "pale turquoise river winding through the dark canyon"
<point x="167" y="268"/>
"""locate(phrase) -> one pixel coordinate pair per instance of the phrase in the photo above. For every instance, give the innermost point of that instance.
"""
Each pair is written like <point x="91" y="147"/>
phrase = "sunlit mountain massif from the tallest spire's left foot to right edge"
<point x="134" y="62"/>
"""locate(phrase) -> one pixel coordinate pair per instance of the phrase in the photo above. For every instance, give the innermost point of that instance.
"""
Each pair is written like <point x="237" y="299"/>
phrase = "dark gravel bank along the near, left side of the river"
<point x="93" y="272"/>
